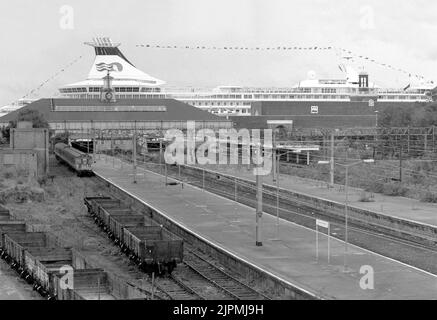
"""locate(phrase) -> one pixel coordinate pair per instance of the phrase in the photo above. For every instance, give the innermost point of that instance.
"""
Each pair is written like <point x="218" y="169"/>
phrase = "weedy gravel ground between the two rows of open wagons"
<point x="63" y="213"/>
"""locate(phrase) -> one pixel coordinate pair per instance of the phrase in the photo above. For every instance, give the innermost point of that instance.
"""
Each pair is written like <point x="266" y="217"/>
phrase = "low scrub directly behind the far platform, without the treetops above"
<point x="419" y="174"/>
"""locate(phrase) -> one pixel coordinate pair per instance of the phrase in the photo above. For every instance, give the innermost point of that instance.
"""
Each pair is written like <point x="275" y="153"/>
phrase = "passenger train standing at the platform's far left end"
<point x="77" y="160"/>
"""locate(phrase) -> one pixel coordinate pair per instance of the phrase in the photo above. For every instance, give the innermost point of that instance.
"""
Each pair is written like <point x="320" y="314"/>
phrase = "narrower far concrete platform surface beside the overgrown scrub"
<point x="400" y="207"/>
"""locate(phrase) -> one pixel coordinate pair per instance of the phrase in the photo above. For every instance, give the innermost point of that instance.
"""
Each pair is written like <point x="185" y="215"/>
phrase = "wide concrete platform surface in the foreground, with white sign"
<point x="231" y="226"/>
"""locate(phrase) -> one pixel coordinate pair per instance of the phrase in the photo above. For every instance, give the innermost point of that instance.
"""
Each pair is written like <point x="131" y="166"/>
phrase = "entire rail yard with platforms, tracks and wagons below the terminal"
<point x="127" y="225"/>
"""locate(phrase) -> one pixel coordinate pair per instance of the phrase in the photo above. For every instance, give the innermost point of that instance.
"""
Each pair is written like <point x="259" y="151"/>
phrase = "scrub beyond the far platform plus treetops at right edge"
<point x="418" y="158"/>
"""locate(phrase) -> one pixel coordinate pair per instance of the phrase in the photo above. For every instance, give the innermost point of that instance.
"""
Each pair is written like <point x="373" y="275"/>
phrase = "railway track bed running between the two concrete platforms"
<point x="396" y="247"/>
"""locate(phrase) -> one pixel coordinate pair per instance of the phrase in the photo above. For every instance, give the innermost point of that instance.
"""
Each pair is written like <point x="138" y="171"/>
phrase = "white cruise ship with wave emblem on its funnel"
<point x="131" y="83"/>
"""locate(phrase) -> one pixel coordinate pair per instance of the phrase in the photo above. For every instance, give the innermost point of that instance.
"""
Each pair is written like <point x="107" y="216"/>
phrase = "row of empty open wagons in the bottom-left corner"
<point x="39" y="261"/>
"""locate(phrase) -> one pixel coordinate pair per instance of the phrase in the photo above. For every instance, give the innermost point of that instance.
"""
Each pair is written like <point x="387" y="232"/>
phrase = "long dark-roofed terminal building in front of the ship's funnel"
<point x="84" y="115"/>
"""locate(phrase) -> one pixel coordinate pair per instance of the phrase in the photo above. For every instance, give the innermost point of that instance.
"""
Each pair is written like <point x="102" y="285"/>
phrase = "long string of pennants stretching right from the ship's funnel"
<point x="284" y="48"/>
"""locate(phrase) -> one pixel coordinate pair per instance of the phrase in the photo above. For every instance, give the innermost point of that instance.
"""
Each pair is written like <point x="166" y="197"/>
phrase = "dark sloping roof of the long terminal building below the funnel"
<point x="55" y="110"/>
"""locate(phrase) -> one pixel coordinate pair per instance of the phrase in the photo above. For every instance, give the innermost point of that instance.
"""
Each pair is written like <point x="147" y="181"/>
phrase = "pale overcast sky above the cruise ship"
<point x="38" y="39"/>
